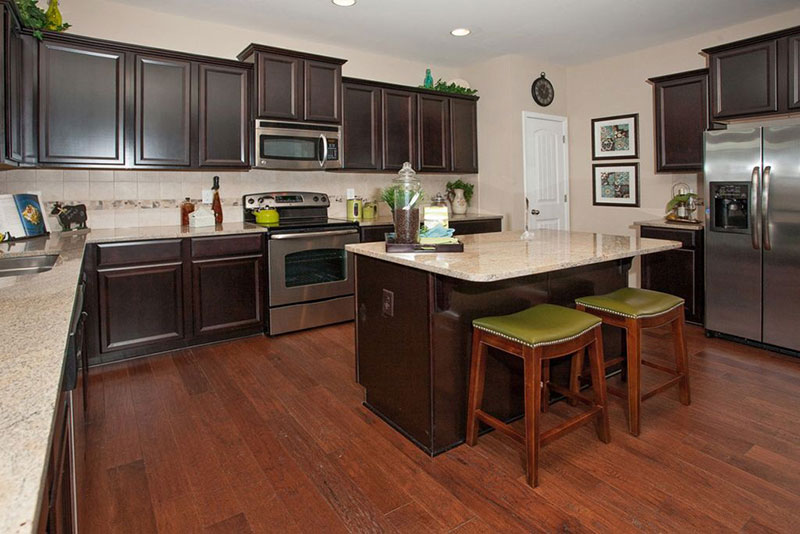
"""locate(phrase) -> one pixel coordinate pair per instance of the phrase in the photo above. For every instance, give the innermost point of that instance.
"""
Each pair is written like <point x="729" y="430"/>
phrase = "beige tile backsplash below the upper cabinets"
<point x="120" y="199"/>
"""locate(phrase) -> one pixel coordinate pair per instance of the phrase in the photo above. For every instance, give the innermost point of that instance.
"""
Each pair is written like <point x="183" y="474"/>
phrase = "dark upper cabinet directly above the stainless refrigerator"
<point x="755" y="76"/>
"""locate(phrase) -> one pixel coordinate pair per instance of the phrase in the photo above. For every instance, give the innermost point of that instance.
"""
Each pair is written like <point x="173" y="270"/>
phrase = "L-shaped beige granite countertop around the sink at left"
<point x="35" y="313"/>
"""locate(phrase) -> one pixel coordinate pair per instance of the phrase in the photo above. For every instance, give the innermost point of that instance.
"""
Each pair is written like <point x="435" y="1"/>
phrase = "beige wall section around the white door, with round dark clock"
<point x="504" y="84"/>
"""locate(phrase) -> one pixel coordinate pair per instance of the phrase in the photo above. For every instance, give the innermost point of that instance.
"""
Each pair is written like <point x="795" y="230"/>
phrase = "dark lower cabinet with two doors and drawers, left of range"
<point x="159" y="295"/>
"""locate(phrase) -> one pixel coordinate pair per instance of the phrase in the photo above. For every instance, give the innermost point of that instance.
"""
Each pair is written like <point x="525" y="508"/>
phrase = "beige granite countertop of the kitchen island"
<point x="504" y="255"/>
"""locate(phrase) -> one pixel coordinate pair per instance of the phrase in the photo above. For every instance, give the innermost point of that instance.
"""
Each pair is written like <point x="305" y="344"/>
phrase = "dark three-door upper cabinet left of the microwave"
<point x="105" y="104"/>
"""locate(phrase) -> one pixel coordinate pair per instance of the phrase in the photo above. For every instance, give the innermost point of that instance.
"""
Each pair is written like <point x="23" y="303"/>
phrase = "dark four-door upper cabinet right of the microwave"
<point x="385" y="125"/>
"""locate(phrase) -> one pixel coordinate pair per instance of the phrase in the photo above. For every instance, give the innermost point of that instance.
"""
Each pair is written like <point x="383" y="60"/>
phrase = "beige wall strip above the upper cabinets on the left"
<point x="126" y="23"/>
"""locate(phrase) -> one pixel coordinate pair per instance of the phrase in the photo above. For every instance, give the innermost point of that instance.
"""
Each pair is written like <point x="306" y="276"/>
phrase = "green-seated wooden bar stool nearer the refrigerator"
<point x="635" y="309"/>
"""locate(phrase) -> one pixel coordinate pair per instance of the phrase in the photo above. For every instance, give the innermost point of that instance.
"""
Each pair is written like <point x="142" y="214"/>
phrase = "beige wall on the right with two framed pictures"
<point x="617" y="86"/>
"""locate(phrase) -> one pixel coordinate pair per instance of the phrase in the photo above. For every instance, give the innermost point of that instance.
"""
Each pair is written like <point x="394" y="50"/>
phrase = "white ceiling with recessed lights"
<point x="560" y="31"/>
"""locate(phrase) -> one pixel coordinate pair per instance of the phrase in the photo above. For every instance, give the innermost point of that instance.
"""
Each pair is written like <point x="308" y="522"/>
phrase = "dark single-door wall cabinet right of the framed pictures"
<point x="681" y="119"/>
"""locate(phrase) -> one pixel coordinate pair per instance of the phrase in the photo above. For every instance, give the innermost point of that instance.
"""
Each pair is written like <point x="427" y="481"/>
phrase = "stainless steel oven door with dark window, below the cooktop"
<point x="309" y="266"/>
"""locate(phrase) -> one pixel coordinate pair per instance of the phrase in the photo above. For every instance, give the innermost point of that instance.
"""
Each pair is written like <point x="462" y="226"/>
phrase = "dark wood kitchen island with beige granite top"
<point x="414" y="317"/>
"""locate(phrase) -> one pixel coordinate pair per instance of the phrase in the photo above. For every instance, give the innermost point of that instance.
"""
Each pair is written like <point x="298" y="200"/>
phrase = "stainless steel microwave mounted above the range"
<point x="297" y="146"/>
